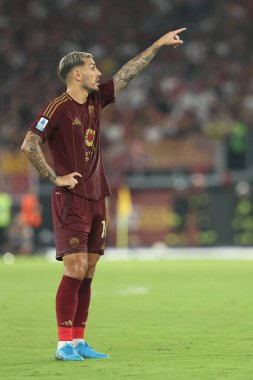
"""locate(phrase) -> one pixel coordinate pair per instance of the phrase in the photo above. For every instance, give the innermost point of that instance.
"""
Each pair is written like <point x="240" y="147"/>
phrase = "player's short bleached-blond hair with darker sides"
<point x="71" y="60"/>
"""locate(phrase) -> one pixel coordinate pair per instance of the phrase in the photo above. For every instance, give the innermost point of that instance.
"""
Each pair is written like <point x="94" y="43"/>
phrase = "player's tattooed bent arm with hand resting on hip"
<point x="31" y="147"/>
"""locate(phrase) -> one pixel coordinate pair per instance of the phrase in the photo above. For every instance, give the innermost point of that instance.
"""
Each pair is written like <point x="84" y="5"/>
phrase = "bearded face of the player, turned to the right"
<point x="89" y="75"/>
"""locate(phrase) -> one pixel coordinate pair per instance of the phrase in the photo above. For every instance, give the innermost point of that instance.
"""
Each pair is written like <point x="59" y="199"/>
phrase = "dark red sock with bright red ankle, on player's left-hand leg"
<point x="66" y="305"/>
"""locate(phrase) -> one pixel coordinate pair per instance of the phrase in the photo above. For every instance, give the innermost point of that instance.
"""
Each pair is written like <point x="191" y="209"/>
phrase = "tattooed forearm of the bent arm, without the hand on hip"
<point x="34" y="153"/>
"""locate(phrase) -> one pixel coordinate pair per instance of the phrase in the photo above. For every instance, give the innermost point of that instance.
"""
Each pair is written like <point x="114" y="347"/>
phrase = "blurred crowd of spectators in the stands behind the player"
<point x="204" y="87"/>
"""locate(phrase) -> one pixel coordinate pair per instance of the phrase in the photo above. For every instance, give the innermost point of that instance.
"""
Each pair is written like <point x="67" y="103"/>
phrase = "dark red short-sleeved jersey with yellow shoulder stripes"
<point x="72" y="132"/>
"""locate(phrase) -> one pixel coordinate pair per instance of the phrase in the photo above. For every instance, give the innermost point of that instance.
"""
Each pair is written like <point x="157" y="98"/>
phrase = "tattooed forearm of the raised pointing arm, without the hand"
<point x="133" y="67"/>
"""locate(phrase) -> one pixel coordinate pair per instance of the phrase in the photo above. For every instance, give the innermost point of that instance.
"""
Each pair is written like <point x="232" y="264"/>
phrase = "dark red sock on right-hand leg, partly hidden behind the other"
<point x="81" y="316"/>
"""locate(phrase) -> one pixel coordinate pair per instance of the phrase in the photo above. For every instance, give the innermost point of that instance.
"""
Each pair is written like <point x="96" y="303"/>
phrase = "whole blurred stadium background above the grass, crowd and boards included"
<point x="177" y="144"/>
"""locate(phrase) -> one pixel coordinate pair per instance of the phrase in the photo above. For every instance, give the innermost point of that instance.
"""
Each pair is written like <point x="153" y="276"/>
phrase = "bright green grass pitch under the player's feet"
<point x="178" y="320"/>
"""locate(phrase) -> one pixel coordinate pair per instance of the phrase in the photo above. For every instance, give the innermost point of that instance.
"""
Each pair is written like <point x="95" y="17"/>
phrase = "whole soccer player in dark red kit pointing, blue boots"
<point x="70" y="125"/>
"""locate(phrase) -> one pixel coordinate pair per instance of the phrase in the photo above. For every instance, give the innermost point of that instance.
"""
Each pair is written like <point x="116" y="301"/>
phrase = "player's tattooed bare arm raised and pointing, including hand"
<point x="137" y="64"/>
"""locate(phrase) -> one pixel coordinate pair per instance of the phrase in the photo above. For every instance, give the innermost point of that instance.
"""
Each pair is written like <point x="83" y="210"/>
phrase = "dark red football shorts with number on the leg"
<point x="79" y="224"/>
